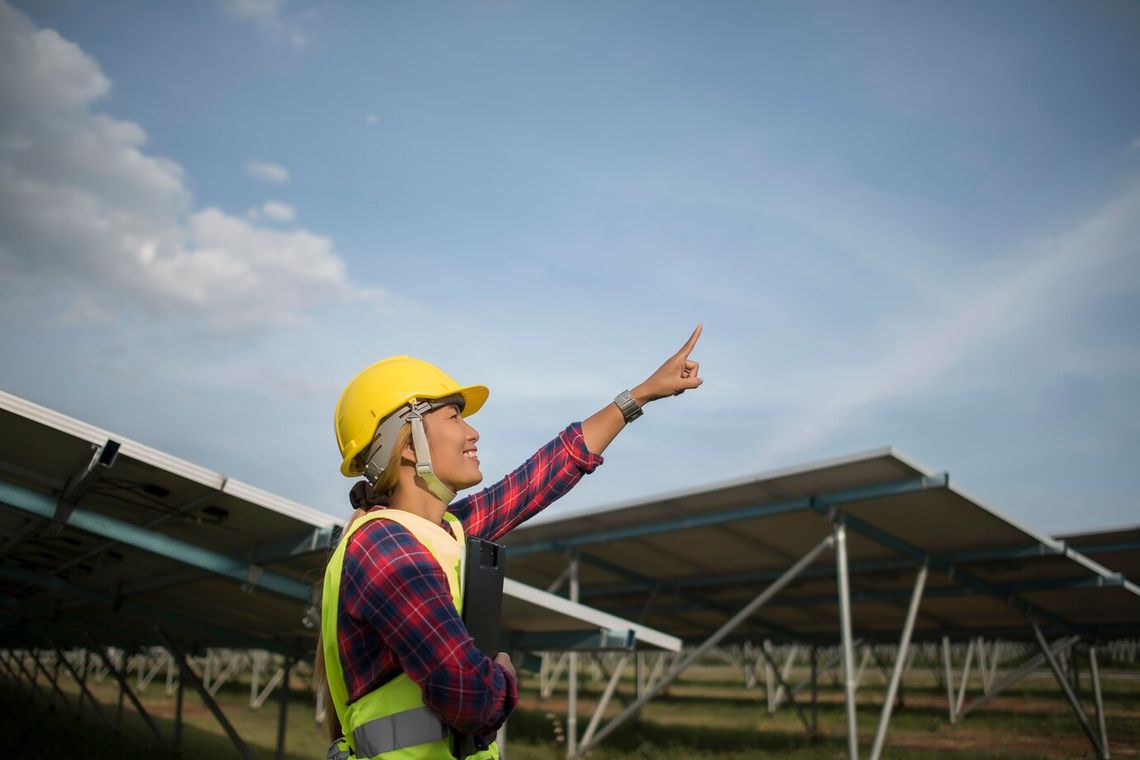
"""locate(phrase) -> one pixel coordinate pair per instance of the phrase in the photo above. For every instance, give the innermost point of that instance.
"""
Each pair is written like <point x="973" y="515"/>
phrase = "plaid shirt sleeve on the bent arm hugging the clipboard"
<point x="397" y="615"/>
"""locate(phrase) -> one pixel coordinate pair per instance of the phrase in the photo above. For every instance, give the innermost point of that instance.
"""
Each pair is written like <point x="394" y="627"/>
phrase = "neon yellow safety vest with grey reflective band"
<point x="393" y="723"/>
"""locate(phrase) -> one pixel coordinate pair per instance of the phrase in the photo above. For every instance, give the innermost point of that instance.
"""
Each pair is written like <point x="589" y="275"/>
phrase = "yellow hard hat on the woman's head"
<point x="387" y="387"/>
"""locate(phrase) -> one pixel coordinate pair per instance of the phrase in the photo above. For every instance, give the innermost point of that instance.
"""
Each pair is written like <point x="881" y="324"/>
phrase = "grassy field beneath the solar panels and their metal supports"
<point x="707" y="715"/>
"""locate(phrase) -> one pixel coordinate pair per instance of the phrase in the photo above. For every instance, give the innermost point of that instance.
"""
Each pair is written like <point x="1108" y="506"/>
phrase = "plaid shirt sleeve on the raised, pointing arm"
<point x="539" y="483"/>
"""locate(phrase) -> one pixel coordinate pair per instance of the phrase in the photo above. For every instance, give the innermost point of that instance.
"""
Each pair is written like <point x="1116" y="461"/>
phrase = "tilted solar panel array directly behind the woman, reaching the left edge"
<point x="107" y="537"/>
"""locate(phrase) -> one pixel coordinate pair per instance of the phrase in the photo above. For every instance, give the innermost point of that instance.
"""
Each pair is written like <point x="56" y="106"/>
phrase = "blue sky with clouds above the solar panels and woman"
<point x="911" y="225"/>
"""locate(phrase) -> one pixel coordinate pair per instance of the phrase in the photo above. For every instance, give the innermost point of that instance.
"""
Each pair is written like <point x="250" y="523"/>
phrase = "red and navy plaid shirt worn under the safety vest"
<point x="396" y="612"/>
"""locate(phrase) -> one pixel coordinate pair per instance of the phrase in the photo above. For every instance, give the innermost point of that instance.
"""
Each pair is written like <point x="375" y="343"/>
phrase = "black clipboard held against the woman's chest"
<point x="483" y="611"/>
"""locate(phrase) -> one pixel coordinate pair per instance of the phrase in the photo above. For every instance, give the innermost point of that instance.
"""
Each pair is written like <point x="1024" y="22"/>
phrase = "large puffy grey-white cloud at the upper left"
<point x="95" y="230"/>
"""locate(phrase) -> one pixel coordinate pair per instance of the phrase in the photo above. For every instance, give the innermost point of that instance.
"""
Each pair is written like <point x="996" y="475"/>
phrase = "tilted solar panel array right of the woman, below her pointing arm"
<point x="701" y="555"/>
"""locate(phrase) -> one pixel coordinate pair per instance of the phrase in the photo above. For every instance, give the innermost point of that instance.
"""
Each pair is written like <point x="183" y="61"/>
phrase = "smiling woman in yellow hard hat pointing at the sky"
<point x="403" y="673"/>
